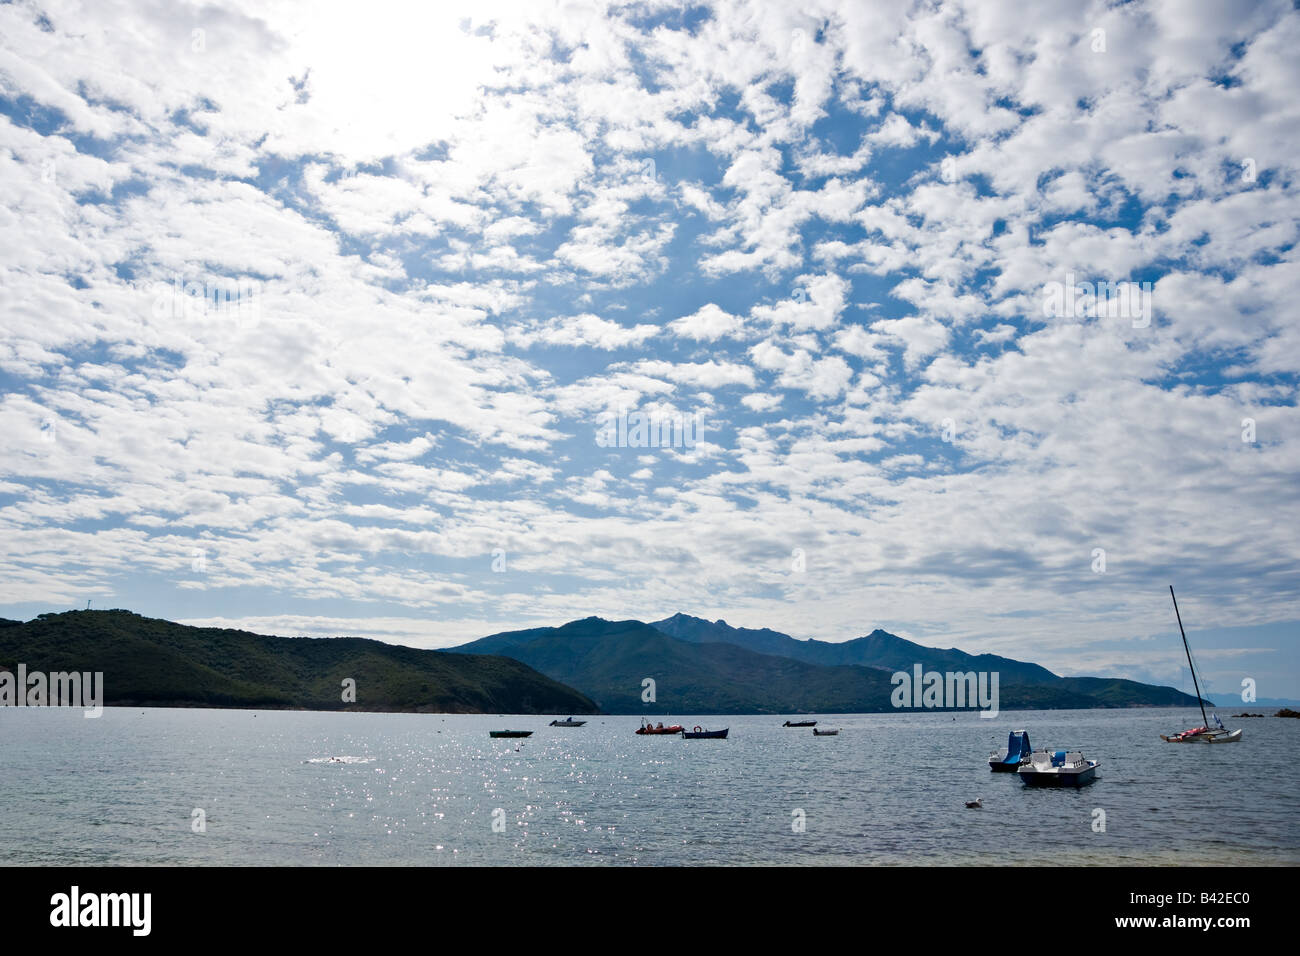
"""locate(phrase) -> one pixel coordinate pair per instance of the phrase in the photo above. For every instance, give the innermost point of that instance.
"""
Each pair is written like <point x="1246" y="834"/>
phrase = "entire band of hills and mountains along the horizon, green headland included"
<point x="681" y="665"/>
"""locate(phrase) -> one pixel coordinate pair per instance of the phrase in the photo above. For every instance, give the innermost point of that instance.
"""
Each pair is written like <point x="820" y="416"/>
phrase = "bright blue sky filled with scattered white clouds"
<point x="973" y="322"/>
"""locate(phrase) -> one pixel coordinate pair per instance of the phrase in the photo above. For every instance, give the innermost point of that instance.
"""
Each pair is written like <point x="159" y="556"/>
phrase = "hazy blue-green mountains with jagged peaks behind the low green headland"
<point x="701" y="667"/>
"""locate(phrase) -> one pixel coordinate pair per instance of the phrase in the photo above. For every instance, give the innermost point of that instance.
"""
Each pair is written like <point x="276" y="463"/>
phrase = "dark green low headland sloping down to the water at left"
<point x="149" y="661"/>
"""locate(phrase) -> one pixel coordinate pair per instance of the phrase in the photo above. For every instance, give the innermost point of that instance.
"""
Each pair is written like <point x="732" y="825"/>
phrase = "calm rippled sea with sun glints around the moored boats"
<point x="419" y="789"/>
